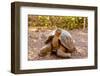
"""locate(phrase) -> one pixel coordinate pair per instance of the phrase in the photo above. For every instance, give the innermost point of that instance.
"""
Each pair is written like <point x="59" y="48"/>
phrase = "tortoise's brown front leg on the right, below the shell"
<point x="61" y="53"/>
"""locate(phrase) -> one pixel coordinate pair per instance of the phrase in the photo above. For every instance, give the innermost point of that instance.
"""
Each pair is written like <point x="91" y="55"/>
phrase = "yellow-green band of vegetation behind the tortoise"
<point x="65" y="22"/>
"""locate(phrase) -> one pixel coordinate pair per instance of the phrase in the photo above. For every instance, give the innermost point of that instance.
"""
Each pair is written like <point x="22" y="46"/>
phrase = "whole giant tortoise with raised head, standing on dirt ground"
<point x="59" y="41"/>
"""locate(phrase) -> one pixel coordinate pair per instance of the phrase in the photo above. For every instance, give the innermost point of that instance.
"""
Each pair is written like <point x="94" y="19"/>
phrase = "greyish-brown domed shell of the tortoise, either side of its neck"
<point x="65" y="39"/>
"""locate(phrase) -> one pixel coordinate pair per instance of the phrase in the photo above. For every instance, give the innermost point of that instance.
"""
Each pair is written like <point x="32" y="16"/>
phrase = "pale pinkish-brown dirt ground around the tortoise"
<point x="36" y="40"/>
